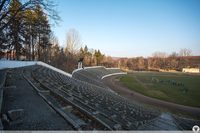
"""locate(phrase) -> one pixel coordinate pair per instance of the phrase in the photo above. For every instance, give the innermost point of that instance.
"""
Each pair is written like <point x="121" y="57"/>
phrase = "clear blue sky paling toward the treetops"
<point x="129" y="28"/>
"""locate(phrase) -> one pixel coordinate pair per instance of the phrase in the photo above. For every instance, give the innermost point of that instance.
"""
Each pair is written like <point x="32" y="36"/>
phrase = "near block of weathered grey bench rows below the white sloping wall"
<point x="110" y="110"/>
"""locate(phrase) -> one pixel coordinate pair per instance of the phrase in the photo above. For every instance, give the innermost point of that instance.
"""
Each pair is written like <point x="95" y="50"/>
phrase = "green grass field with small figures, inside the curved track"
<point x="173" y="87"/>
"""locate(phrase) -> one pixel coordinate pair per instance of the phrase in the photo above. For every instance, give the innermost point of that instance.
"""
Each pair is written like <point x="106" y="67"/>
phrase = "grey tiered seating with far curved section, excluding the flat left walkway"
<point x="85" y="103"/>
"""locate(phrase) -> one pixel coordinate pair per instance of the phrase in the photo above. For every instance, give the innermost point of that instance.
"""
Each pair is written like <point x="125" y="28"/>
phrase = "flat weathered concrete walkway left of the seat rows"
<point x="36" y="115"/>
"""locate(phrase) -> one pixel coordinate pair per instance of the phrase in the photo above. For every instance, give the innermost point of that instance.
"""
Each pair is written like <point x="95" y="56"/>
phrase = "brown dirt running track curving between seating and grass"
<point x="124" y="91"/>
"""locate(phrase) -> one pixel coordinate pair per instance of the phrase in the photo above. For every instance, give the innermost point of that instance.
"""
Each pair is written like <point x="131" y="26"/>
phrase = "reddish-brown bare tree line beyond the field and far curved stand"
<point x="158" y="60"/>
